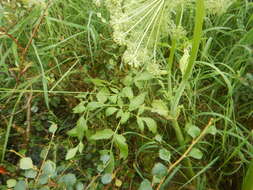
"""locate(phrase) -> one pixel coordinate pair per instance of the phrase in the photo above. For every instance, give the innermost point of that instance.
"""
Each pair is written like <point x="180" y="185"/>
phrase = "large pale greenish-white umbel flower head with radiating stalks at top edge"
<point x="141" y="24"/>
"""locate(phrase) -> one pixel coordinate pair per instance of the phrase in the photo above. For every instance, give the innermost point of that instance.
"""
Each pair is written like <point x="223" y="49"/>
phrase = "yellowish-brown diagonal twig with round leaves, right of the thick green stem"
<point x="194" y="142"/>
